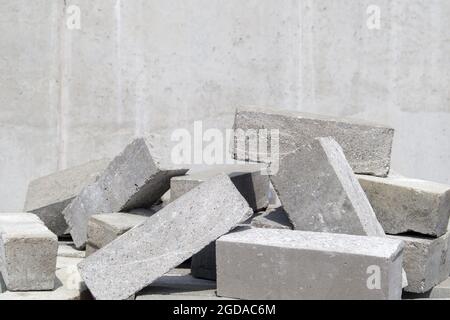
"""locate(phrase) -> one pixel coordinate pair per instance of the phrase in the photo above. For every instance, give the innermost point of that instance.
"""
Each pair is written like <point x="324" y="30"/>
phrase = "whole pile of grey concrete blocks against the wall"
<point x="331" y="222"/>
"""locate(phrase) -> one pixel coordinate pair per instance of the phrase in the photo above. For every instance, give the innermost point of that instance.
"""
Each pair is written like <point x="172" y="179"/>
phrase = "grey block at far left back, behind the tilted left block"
<point x="48" y="196"/>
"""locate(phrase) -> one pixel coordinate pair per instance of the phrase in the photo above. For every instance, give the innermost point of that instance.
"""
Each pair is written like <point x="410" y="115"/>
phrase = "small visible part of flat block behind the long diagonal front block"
<point x="105" y="228"/>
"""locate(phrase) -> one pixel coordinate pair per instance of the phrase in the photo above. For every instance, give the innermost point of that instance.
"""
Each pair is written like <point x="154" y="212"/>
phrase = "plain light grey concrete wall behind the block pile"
<point x="136" y="66"/>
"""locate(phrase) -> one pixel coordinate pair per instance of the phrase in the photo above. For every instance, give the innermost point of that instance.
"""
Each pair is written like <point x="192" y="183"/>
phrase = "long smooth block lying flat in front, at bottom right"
<point x="285" y="264"/>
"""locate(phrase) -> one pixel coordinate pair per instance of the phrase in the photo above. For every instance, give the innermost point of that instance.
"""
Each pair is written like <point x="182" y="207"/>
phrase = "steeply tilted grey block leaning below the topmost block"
<point x="319" y="192"/>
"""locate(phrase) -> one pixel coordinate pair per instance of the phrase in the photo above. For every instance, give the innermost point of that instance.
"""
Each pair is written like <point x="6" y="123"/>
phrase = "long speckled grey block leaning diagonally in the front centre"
<point x="165" y="240"/>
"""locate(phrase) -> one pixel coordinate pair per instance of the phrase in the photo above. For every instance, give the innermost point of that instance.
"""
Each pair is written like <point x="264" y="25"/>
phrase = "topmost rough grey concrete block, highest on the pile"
<point x="367" y="146"/>
